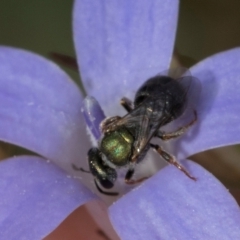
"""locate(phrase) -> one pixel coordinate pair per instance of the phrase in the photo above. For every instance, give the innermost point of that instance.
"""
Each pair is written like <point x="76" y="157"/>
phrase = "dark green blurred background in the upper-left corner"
<point x="40" y="26"/>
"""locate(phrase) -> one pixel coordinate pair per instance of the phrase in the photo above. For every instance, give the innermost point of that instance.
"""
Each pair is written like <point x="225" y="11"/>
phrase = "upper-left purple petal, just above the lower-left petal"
<point x="40" y="107"/>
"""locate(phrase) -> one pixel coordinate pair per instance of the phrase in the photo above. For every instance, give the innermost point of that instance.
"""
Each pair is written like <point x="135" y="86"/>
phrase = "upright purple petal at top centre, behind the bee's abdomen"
<point x="120" y="44"/>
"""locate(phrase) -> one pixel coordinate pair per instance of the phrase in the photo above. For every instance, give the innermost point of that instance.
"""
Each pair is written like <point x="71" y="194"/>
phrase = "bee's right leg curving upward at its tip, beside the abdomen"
<point x="166" y="136"/>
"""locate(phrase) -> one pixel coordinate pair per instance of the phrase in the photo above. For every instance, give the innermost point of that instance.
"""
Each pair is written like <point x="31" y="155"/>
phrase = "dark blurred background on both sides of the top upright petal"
<point x="42" y="26"/>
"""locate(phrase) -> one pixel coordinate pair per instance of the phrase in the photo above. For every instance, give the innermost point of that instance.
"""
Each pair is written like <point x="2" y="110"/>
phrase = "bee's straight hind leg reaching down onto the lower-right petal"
<point x="170" y="159"/>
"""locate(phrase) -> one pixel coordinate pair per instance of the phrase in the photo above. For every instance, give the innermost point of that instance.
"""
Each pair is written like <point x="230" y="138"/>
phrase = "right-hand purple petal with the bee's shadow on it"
<point x="218" y="109"/>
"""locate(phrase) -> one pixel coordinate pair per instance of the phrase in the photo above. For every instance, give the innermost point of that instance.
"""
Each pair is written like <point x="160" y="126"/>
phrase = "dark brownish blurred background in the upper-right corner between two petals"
<point x="207" y="27"/>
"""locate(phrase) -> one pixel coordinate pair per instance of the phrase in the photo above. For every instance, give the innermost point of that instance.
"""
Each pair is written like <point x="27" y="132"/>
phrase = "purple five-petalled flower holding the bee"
<point x="119" y="45"/>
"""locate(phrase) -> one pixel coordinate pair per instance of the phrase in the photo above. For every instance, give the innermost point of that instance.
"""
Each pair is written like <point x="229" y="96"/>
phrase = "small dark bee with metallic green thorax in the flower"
<point x="126" y="140"/>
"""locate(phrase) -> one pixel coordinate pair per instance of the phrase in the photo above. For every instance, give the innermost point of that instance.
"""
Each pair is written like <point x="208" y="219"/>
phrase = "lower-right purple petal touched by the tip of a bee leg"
<point x="171" y="206"/>
